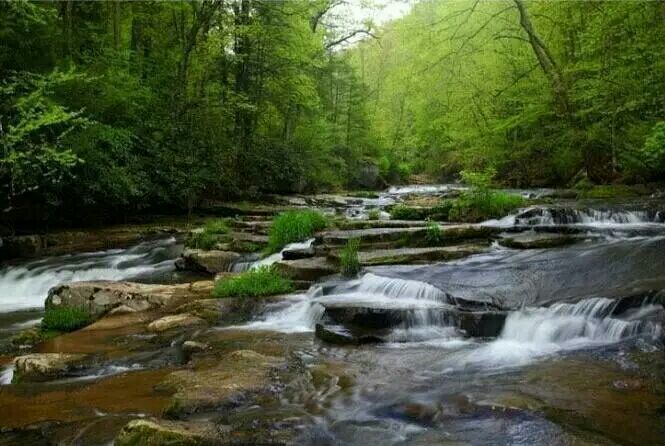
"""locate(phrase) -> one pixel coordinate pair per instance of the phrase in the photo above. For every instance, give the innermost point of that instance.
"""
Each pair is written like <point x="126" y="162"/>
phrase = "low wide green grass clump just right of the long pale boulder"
<point x="263" y="281"/>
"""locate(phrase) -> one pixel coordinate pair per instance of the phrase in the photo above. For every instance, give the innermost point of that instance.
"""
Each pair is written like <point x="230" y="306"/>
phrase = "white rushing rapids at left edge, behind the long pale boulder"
<point x="26" y="286"/>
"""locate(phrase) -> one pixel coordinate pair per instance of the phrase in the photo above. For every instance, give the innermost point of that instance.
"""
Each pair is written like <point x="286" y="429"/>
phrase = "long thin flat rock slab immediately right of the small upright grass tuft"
<point x="413" y="255"/>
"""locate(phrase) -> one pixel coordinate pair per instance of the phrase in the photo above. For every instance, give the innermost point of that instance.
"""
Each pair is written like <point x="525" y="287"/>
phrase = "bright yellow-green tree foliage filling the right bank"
<point x="495" y="106"/>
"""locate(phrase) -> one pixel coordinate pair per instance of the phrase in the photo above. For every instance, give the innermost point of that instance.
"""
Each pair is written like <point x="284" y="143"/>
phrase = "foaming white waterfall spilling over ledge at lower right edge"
<point x="589" y="320"/>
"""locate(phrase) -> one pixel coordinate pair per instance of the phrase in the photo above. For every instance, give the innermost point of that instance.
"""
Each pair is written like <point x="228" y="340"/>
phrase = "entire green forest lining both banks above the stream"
<point x="113" y="108"/>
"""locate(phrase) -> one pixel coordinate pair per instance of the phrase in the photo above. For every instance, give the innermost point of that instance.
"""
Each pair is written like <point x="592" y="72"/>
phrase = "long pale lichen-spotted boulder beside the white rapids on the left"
<point x="100" y="297"/>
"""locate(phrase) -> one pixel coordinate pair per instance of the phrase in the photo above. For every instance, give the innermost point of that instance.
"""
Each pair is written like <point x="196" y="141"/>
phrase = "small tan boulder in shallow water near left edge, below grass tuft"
<point x="46" y="366"/>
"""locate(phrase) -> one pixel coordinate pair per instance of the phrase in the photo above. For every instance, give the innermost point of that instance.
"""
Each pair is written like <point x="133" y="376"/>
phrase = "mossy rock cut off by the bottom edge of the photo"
<point x="162" y="432"/>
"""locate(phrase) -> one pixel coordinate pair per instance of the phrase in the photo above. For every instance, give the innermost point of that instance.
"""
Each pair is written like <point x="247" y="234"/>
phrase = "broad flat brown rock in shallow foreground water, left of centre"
<point x="231" y="380"/>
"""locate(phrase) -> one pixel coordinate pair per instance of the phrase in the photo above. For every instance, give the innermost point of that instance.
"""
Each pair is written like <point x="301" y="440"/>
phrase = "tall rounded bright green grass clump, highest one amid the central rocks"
<point x="294" y="226"/>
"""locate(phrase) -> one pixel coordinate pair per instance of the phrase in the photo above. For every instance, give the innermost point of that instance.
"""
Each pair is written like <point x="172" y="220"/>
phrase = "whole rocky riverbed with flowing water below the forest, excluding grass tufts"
<point x="544" y="327"/>
